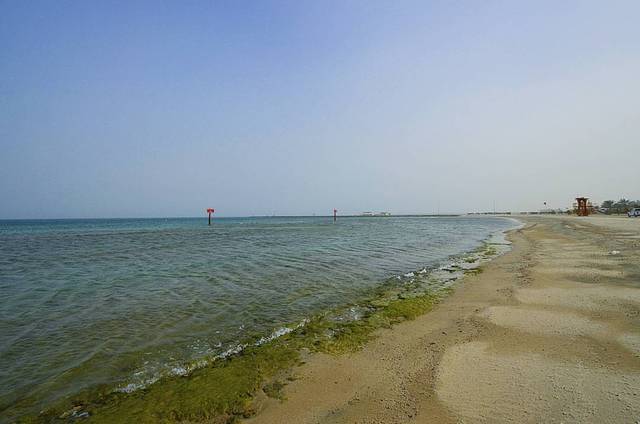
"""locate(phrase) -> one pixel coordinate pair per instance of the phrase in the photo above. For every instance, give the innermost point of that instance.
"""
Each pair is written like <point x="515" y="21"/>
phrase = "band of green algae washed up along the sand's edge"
<point x="224" y="390"/>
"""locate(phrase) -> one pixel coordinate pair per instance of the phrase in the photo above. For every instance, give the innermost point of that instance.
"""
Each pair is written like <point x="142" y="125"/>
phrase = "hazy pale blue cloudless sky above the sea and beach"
<point x="146" y="109"/>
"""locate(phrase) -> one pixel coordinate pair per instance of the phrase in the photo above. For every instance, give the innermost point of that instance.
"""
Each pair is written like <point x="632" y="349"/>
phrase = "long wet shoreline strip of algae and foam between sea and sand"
<point x="336" y="331"/>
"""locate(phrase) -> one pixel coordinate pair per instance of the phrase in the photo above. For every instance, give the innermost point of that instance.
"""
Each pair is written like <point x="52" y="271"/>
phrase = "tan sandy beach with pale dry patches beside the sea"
<point x="548" y="333"/>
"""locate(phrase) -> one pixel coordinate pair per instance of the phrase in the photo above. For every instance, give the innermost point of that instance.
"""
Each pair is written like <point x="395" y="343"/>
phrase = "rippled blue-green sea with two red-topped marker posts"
<point x="124" y="301"/>
